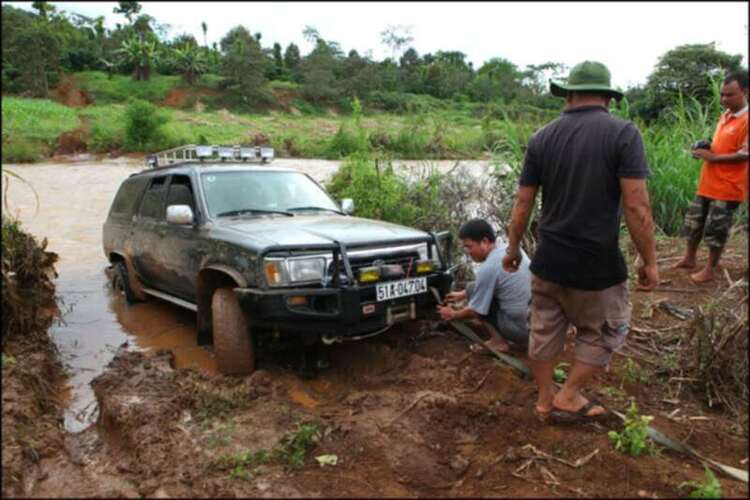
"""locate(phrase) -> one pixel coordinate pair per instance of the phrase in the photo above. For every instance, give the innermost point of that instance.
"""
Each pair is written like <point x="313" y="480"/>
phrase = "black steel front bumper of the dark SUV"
<point x="344" y="311"/>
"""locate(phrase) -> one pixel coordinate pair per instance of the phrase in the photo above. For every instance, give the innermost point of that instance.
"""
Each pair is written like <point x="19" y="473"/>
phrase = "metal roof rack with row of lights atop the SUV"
<point x="199" y="154"/>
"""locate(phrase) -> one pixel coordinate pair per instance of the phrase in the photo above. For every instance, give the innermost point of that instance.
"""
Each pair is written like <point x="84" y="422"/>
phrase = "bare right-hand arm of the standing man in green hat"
<point x="637" y="209"/>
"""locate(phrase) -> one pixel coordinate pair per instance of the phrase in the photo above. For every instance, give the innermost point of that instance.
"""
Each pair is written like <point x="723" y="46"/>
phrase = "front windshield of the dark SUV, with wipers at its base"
<point x="254" y="192"/>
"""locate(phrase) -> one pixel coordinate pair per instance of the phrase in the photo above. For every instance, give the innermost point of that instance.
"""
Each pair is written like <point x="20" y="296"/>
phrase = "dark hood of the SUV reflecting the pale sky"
<point x="313" y="229"/>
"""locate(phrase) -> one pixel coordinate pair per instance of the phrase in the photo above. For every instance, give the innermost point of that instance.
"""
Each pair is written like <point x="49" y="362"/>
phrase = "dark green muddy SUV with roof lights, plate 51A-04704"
<point x="264" y="255"/>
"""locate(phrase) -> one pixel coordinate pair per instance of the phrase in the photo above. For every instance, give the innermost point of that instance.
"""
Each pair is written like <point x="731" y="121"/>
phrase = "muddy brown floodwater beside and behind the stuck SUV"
<point x="74" y="196"/>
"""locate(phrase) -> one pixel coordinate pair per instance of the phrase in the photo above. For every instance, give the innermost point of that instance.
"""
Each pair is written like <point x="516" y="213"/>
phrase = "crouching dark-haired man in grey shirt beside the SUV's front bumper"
<point x="499" y="298"/>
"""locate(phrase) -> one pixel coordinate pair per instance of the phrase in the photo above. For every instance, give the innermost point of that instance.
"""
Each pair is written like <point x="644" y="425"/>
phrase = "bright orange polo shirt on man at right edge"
<point x="727" y="181"/>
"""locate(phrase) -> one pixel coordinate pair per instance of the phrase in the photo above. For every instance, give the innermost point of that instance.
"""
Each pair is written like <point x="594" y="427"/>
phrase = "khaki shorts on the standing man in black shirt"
<point x="601" y="318"/>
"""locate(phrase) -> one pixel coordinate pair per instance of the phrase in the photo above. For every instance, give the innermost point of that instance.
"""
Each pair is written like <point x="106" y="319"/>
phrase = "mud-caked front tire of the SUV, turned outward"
<point x="233" y="340"/>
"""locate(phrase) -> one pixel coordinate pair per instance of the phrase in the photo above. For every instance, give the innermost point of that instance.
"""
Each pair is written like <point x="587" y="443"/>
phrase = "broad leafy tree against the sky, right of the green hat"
<point x="686" y="70"/>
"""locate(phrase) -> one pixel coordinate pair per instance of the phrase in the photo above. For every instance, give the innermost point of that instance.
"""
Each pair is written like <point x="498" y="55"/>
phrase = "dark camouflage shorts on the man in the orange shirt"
<point x="710" y="219"/>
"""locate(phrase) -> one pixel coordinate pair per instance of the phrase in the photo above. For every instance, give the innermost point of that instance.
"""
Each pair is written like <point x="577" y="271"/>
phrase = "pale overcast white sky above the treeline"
<point x="629" y="37"/>
